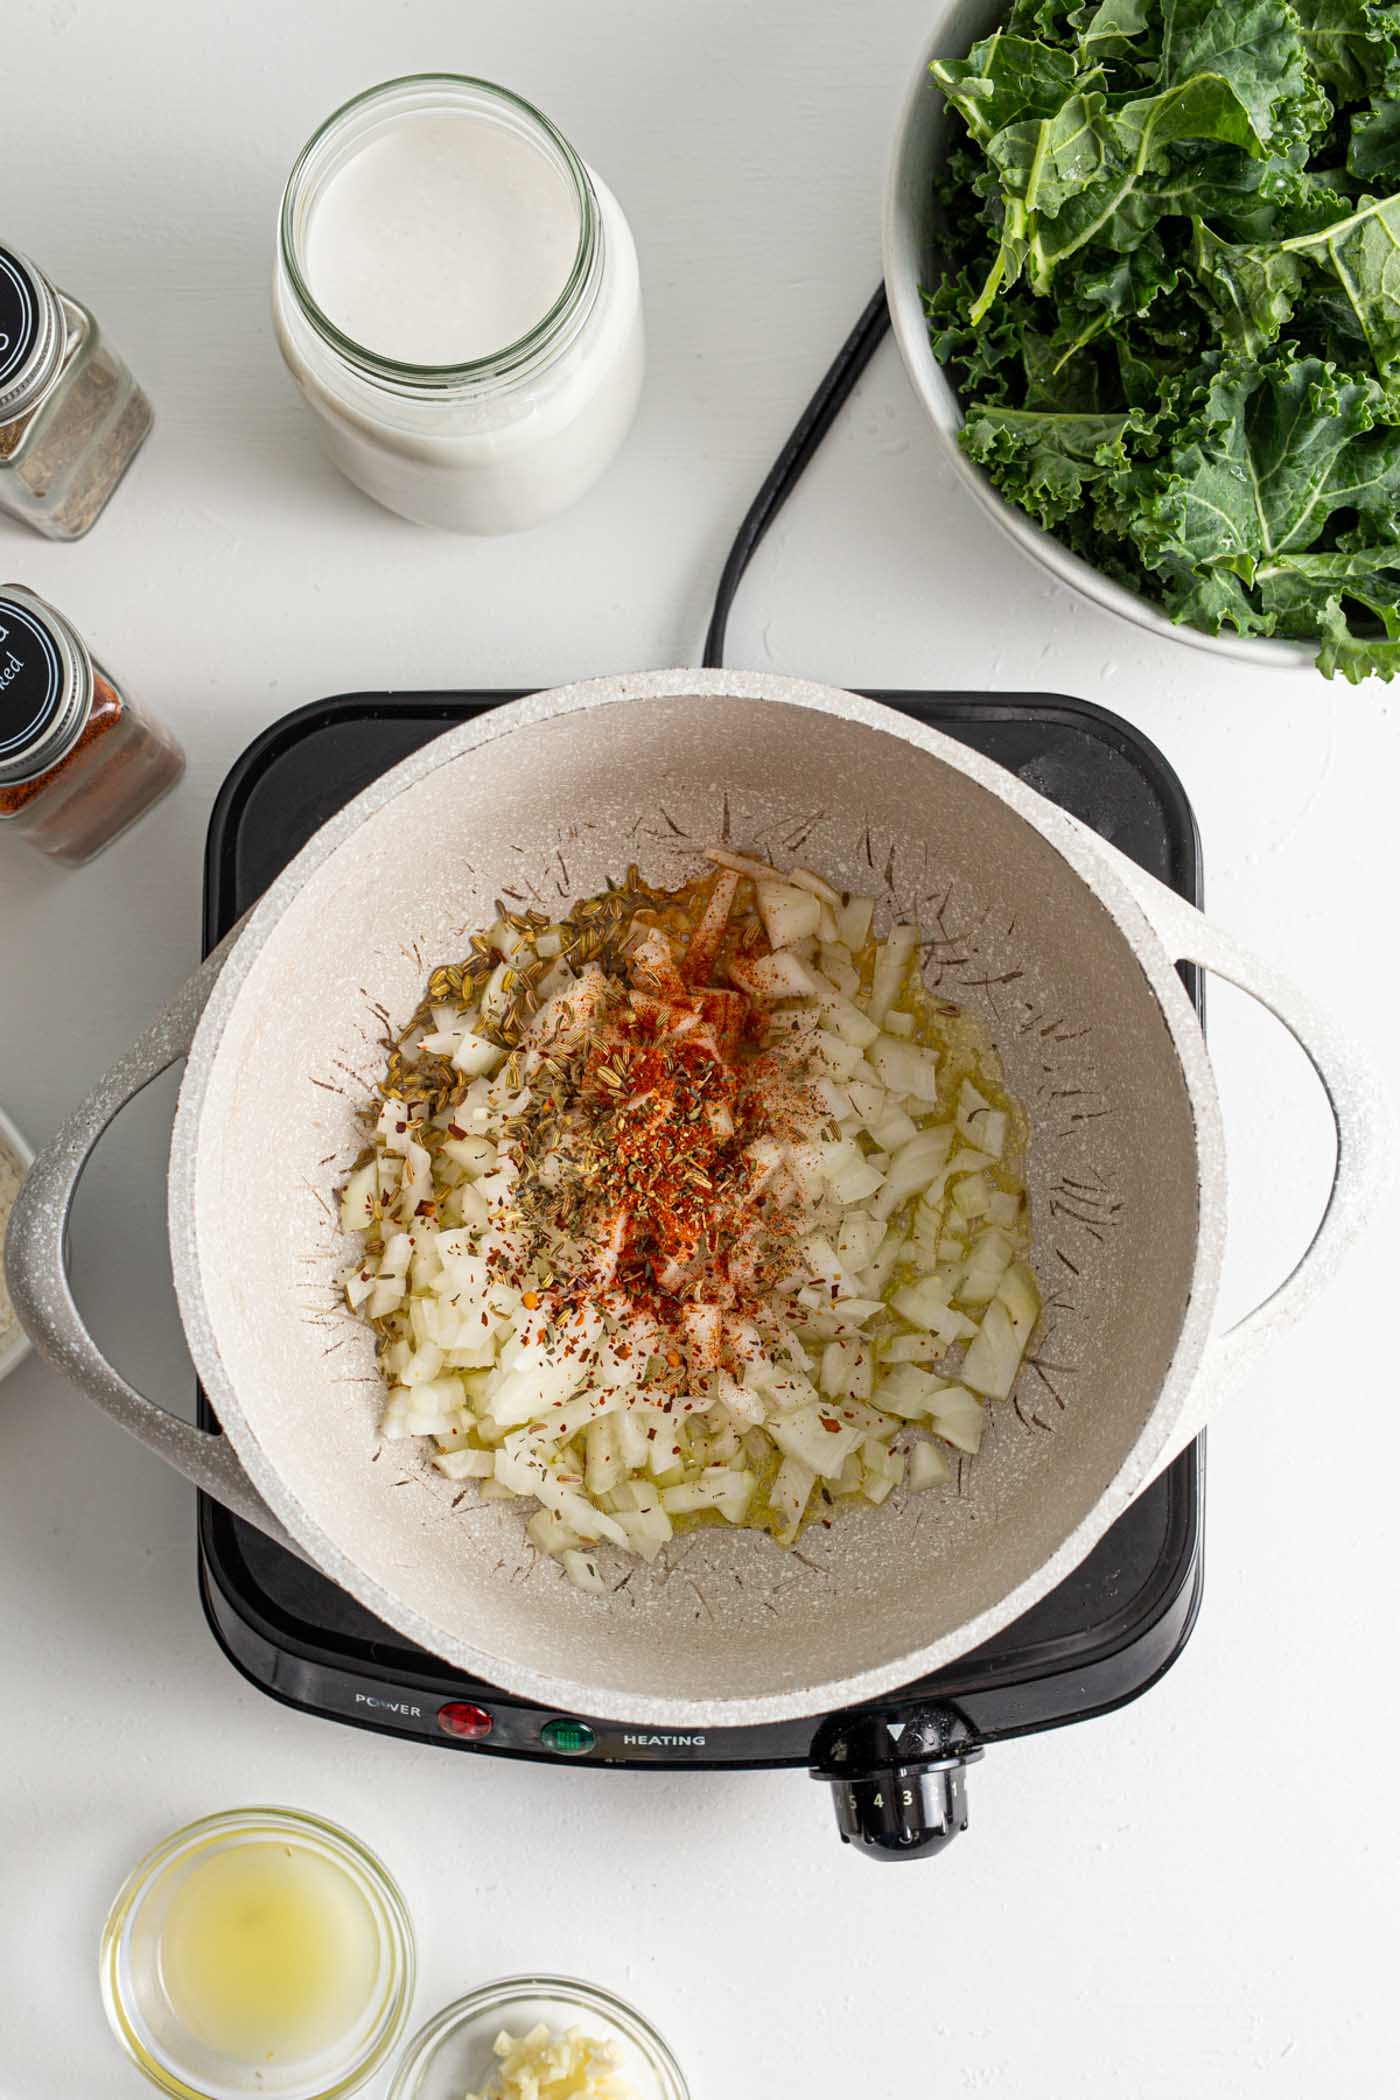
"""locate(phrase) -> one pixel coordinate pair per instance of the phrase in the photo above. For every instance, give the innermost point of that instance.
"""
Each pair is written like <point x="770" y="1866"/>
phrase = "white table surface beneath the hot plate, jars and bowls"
<point x="1189" y="1897"/>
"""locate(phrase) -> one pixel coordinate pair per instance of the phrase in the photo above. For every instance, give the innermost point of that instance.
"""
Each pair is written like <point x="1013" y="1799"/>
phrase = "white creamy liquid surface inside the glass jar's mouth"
<point x="444" y="240"/>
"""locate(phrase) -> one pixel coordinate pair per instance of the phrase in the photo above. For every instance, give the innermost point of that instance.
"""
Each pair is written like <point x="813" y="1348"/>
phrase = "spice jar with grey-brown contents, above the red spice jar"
<point x="72" y="419"/>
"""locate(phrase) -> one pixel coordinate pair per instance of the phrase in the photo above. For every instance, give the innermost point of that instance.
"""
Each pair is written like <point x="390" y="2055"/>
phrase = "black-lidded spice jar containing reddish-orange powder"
<point x="77" y="761"/>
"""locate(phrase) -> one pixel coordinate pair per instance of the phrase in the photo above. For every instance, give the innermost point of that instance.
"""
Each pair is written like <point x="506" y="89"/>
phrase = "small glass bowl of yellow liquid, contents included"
<point x="259" y="1952"/>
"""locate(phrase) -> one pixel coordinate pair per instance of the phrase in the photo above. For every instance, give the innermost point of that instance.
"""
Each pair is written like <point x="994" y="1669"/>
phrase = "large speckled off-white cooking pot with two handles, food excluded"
<point x="1055" y="940"/>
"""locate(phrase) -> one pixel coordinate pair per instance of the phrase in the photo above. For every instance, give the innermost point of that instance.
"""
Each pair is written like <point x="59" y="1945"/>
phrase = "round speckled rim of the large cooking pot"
<point x="1088" y="860"/>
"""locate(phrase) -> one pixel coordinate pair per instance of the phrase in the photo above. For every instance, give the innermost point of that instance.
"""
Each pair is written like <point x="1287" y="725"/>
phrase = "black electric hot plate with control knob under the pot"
<point x="897" y="1769"/>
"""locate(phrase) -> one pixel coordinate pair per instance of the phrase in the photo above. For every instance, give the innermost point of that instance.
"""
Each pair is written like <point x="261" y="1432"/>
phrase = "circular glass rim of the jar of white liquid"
<point x="494" y="364"/>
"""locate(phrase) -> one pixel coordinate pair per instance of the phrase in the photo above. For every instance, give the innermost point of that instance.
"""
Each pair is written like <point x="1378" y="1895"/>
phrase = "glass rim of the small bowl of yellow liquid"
<point x="257" y="1822"/>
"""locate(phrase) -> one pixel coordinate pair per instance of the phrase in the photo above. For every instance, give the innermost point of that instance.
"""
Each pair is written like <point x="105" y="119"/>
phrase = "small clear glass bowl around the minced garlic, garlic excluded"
<point x="457" y="2051"/>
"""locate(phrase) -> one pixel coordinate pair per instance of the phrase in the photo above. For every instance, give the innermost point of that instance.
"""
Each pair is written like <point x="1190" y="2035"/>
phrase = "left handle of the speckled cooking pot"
<point x="39" y="1280"/>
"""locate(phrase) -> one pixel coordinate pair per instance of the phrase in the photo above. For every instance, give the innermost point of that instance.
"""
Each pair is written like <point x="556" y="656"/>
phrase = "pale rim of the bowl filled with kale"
<point x="904" y="259"/>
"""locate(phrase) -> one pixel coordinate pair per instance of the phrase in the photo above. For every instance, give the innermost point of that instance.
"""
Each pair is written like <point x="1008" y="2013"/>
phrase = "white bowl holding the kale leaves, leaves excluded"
<point x="910" y="245"/>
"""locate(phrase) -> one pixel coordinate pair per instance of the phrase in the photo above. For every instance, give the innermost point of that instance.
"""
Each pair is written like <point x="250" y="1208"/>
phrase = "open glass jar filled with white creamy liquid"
<point x="459" y="299"/>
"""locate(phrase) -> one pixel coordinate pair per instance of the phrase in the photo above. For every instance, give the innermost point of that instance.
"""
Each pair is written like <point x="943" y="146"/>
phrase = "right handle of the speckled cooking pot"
<point x="1359" y="1116"/>
